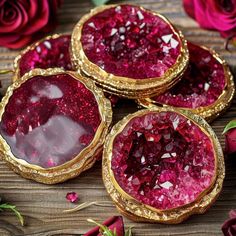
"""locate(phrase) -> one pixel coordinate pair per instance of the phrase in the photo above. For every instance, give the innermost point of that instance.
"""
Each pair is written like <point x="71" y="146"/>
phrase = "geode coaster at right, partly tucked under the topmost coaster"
<point x="207" y="86"/>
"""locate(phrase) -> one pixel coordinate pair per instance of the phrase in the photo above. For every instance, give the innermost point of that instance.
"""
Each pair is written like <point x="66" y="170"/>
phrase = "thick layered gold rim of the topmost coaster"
<point x="124" y="86"/>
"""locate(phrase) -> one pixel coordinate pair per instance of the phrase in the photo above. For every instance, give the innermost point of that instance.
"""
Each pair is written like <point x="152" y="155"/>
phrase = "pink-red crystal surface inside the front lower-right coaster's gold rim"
<point x="163" y="160"/>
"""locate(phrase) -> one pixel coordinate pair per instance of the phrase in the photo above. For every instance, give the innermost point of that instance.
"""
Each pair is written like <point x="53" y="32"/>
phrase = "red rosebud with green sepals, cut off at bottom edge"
<point x="113" y="225"/>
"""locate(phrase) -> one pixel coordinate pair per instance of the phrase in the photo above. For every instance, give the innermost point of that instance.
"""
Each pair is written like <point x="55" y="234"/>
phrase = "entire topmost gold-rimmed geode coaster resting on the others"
<point x="128" y="50"/>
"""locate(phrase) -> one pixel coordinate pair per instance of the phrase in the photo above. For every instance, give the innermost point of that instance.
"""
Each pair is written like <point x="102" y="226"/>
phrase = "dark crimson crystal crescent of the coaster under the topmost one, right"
<point x="202" y="83"/>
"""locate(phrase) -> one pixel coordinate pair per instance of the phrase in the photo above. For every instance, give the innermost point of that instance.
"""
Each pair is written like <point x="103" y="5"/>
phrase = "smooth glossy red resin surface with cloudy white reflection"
<point x="49" y="120"/>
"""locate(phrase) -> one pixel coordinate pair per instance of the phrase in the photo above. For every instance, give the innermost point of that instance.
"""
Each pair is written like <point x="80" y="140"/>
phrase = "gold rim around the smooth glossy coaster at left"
<point x="84" y="160"/>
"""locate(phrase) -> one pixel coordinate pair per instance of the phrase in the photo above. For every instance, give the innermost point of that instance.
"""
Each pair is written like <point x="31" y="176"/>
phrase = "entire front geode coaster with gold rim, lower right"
<point x="162" y="165"/>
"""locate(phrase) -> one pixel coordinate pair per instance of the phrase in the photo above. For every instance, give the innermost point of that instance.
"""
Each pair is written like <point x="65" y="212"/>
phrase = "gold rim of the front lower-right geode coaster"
<point x="140" y="212"/>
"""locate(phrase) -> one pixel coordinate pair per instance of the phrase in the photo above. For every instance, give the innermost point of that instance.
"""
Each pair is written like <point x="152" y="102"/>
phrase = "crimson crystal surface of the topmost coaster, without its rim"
<point x="131" y="42"/>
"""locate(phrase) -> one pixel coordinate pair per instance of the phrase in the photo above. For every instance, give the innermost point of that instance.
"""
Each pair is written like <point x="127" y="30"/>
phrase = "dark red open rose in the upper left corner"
<point x="24" y="21"/>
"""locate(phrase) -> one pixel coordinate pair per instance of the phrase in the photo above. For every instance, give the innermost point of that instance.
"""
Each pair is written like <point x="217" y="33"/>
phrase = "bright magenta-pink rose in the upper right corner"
<point x="218" y="15"/>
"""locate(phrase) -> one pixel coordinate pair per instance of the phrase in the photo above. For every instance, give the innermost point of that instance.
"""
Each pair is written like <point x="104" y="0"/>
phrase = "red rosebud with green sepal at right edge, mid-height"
<point x="230" y="137"/>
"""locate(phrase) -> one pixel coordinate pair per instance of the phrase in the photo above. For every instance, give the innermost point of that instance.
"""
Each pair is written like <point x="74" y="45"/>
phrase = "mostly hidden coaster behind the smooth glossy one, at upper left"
<point x="50" y="52"/>
